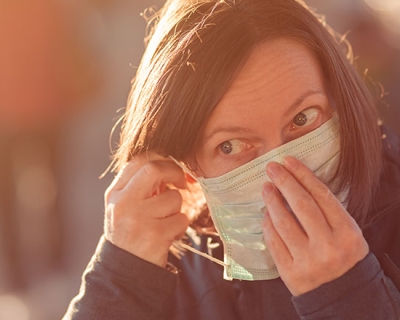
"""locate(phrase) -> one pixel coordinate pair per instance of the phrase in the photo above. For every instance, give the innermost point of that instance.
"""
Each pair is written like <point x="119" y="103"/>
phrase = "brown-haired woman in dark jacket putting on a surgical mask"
<point x="254" y="100"/>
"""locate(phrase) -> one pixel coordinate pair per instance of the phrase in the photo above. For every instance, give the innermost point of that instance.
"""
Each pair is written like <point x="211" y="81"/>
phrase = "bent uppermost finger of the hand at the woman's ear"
<point x="150" y="178"/>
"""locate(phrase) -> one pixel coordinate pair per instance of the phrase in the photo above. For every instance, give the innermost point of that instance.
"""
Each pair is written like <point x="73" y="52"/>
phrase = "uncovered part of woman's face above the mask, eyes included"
<point x="279" y="95"/>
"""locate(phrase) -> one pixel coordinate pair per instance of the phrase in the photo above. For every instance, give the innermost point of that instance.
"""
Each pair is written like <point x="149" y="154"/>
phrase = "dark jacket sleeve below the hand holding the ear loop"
<point x="119" y="285"/>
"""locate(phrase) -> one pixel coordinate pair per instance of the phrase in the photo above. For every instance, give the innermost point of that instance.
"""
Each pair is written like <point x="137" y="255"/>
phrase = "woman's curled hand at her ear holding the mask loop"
<point x="142" y="215"/>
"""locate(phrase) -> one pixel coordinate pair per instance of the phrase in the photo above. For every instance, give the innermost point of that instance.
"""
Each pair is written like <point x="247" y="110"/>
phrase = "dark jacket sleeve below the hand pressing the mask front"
<point x="364" y="292"/>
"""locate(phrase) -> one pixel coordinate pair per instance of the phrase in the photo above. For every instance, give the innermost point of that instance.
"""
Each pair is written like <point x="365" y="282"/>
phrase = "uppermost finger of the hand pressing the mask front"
<point x="330" y="206"/>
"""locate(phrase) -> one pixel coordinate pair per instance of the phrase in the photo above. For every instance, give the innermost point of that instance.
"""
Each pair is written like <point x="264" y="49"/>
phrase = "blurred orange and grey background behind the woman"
<point x="65" y="72"/>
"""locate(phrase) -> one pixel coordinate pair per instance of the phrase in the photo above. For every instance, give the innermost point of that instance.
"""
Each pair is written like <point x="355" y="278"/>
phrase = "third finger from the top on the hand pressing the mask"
<point x="284" y="223"/>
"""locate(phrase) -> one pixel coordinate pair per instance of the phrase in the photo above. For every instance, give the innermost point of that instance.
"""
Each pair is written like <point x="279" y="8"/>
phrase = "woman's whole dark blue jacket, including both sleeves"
<point x="118" y="285"/>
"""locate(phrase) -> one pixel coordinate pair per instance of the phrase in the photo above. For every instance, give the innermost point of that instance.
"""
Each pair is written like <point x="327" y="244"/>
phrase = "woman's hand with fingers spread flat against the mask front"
<point x="321" y="241"/>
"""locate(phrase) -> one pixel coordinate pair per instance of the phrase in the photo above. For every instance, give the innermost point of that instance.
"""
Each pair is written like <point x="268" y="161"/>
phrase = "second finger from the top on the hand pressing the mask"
<point x="300" y="201"/>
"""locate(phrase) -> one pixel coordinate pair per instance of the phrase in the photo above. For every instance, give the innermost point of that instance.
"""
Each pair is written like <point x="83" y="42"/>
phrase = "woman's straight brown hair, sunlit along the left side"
<point x="193" y="55"/>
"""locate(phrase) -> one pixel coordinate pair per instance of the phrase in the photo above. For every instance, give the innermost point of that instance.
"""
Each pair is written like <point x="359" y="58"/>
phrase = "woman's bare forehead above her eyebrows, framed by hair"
<point x="276" y="73"/>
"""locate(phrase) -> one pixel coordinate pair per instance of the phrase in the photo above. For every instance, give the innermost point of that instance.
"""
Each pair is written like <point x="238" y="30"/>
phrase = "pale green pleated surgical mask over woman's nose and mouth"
<point x="237" y="207"/>
